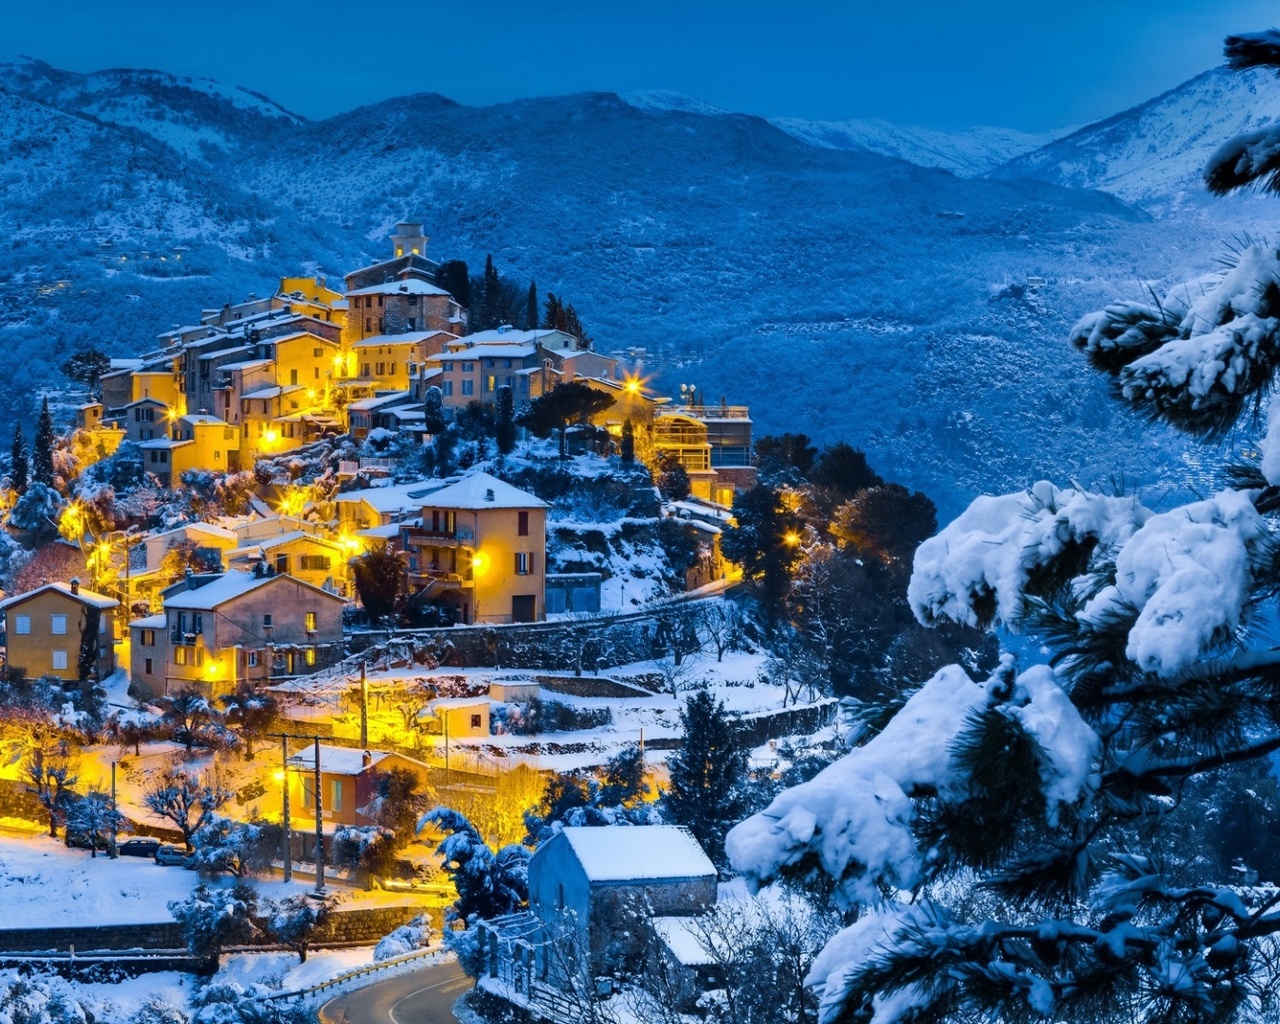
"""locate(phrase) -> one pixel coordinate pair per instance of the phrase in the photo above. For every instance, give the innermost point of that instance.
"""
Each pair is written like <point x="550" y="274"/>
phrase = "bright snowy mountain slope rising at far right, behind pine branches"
<point x="1155" y="153"/>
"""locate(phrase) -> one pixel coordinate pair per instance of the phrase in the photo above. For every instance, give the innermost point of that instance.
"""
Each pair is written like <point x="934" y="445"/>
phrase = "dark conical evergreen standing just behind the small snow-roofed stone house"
<point x="706" y="775"/>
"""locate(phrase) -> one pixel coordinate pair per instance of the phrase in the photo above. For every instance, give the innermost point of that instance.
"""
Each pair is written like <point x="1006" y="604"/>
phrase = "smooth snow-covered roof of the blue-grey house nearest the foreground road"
<point x="648" y="852"/>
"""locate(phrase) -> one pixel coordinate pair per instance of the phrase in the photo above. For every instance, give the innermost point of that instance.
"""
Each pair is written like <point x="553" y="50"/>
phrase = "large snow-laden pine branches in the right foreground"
<point x="1028" y="816"/>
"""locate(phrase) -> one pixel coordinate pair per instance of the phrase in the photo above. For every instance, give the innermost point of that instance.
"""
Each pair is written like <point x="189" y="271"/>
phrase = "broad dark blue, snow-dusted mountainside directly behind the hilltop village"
<point x="839" y="292"/>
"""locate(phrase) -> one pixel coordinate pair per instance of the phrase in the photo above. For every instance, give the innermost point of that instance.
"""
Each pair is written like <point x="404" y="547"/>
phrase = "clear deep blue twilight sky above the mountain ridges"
<point x="1030" y="65"/>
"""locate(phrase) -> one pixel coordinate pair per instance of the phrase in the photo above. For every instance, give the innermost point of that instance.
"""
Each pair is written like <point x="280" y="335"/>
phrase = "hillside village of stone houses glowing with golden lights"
<point x="312" y="566"/>
